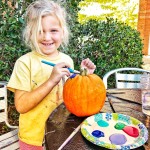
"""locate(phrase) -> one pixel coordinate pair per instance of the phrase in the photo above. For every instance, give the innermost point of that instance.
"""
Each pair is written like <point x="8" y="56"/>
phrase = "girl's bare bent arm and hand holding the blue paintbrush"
<point x="25" y="101"/>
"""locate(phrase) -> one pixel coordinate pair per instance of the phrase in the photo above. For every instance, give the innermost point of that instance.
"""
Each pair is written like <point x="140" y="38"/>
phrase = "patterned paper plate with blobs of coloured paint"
<point x="114" y="131"/>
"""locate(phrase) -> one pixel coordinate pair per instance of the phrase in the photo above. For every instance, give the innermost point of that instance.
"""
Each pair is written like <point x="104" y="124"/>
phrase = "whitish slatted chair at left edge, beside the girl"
<point x="8" y="140"/>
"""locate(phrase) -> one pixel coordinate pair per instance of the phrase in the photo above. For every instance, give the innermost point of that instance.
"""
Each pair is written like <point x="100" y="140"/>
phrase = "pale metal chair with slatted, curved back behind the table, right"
<point x="124" y="79"/>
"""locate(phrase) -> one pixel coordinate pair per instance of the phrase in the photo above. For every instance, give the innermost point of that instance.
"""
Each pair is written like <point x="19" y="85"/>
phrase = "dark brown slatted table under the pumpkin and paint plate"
<point x="62" y="123"/>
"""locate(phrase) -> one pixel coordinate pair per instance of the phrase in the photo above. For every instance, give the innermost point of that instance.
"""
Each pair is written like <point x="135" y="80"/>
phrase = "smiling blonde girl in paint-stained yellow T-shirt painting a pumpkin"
<point x="37" y="86"/>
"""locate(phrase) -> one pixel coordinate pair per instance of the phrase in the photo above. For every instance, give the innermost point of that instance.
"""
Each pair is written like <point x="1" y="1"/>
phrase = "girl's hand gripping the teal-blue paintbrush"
<point x="58" y="72"/>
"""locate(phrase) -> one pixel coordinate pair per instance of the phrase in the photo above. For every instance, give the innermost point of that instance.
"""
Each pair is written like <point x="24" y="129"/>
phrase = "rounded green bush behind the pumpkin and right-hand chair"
<point x="110" y="44"/>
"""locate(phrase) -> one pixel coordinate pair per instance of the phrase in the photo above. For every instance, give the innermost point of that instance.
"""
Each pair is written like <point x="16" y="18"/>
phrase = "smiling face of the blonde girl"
<point x="51" y="36"/>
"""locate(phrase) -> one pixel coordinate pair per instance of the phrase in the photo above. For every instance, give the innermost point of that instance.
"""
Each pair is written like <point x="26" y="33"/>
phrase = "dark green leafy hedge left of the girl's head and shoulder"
<point x="11" y="46"/>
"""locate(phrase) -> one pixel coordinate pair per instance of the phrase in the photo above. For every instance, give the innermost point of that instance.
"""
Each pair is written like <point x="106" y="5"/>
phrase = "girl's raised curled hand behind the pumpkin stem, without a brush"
<point x="89" y="65"/>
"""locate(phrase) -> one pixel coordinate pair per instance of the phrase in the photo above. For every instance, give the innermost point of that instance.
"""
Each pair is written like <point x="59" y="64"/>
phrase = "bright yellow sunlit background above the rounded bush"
<point x="124" y="11"/>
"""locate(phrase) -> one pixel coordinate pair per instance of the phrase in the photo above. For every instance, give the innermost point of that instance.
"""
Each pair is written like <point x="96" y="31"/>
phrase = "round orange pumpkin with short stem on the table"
<point x="84" y="95"/>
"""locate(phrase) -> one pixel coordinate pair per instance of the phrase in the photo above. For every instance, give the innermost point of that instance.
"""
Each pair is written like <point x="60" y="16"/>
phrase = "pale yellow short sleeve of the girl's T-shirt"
<point x="20" y="78"/>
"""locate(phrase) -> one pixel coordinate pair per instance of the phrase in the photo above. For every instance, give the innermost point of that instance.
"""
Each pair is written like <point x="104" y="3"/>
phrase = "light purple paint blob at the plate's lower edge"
<point x="118" y="139"/>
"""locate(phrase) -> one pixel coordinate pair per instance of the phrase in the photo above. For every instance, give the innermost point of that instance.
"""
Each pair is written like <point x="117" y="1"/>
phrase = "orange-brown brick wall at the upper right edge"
<point x="144" y="24"/>
